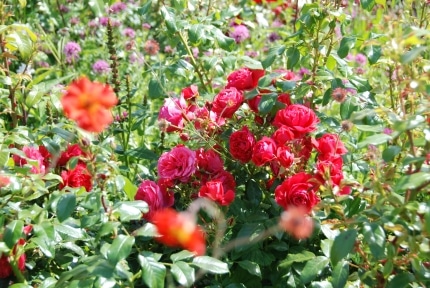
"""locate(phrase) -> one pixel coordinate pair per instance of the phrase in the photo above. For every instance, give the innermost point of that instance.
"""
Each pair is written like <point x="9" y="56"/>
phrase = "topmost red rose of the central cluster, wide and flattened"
<point x="244" y="79"/>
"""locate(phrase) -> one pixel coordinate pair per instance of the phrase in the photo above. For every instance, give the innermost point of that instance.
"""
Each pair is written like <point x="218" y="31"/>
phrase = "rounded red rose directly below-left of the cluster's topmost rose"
<point x="227" y="102"/>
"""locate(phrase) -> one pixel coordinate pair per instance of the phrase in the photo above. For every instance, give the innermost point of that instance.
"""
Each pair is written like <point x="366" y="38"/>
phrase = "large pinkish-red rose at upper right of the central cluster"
<point x="299" y="119"/>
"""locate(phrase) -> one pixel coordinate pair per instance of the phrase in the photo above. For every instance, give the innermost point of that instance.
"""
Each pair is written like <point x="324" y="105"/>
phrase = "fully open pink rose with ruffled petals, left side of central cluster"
<point x="177" y="164"/>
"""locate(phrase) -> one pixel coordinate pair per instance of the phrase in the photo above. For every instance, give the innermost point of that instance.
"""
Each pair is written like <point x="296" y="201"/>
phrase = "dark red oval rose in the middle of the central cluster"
<point x="241" y="144"/>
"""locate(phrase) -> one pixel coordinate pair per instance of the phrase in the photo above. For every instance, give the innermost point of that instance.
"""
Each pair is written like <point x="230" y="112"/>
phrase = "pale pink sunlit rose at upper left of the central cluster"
<point x="172" y="113"/>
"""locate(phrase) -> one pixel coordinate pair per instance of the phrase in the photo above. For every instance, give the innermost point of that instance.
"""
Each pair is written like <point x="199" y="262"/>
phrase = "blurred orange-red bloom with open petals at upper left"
<point x="88" y="104"/>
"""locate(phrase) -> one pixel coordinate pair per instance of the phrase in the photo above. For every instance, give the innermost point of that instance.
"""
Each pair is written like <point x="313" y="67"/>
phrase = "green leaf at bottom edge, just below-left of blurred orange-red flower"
<point x="153" y="272"/>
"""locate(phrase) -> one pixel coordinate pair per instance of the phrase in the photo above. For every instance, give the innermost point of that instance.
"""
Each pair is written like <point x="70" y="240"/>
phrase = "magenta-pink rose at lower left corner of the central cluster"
<point x="151" y="193"/>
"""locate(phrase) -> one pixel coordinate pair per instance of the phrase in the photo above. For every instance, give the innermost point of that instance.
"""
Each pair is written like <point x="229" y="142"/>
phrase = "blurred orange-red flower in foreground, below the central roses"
<point x="179" y="230"/>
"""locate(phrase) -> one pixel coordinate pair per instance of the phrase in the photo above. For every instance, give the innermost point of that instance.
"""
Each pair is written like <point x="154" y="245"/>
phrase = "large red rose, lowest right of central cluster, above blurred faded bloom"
<point x="297" y="191"/>
